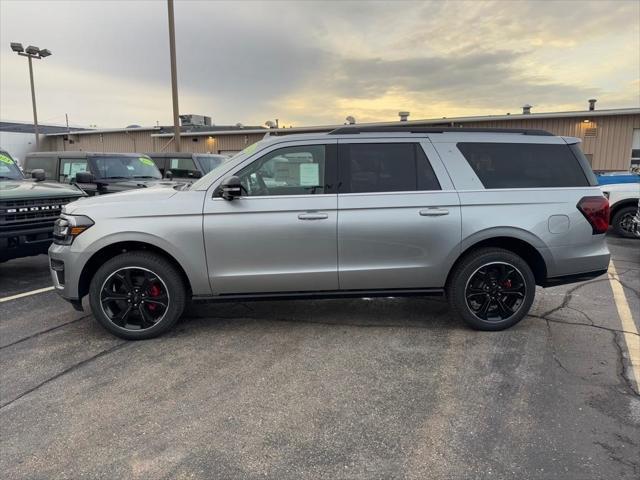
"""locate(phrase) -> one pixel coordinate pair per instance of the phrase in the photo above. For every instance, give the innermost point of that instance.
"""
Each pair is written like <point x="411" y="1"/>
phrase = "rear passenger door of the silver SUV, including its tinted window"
<point x="398" y="216"/>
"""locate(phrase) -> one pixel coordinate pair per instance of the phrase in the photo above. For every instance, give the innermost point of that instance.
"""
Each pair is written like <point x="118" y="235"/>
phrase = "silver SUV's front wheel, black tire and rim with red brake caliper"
<point x="135" y="278"/>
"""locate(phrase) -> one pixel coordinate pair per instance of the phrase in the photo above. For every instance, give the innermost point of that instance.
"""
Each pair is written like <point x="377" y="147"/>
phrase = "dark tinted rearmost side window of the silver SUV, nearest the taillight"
<point x="524" y="165"/>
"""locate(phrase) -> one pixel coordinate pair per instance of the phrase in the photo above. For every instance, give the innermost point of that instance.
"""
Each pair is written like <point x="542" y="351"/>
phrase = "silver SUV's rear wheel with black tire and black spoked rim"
<point x="474" y="281"/>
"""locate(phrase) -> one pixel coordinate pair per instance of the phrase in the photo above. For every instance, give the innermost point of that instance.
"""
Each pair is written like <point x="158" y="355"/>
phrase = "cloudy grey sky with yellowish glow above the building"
<point x="311" y="63"/>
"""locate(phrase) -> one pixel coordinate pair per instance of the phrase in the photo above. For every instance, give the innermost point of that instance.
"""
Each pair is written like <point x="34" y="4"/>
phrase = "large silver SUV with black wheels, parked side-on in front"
<point x="481" y="215"/>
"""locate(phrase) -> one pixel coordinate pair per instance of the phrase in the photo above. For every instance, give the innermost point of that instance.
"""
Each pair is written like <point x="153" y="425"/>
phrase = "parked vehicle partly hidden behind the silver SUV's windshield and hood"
<point x="185" y="165"/>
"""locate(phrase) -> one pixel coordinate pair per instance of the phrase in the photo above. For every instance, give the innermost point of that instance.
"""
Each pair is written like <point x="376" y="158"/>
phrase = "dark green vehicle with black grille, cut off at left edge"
<point x="28" y="209"/>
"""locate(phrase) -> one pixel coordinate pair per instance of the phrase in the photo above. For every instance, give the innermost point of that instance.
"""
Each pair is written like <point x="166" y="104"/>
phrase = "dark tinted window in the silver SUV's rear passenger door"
<point x="385" y="167"/>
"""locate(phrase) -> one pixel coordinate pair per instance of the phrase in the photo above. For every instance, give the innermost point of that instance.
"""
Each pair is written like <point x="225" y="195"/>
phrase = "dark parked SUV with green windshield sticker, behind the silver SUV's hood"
<point x="97" y="173"/>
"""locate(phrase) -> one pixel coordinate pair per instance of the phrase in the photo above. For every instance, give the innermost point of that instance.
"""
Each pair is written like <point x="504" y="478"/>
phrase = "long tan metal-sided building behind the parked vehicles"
<point x="610" y="138"/>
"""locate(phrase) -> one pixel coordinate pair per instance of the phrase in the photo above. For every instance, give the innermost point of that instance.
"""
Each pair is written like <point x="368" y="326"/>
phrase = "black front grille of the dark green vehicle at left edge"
<point x="22" y="215"/>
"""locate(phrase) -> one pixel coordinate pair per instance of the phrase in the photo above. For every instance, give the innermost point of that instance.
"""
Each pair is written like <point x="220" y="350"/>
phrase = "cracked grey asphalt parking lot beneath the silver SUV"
<point x="365" y="388"/>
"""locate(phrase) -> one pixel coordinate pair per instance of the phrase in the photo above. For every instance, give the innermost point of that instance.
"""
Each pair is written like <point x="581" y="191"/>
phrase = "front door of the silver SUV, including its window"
<point x="280" y="235"/>
